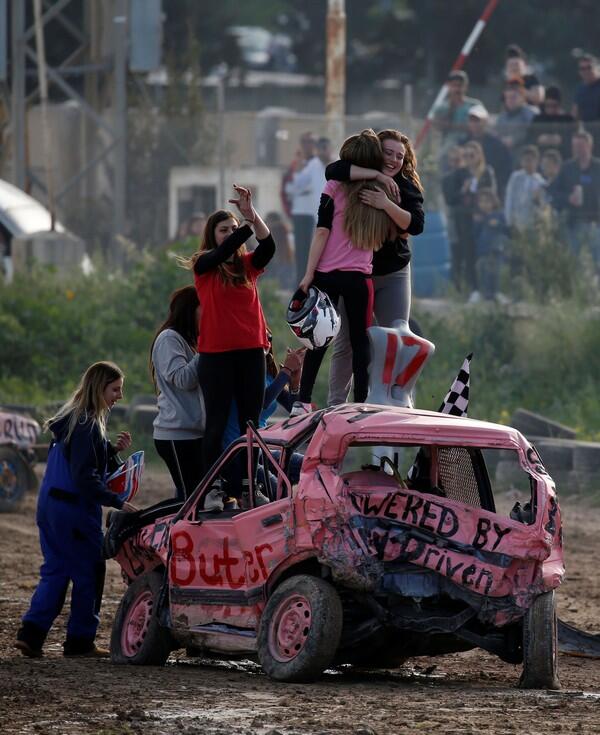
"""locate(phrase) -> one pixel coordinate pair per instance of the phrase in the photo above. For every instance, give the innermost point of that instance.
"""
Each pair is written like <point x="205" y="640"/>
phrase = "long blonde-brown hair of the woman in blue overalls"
<point x="87" y="403"/>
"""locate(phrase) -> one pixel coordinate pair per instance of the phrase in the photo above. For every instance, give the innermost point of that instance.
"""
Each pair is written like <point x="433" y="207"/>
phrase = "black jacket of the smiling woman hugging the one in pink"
<point x="393" y="254"/>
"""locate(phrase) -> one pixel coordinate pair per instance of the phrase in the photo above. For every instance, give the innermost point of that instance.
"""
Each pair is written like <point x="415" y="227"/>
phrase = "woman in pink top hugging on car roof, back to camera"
<point x="339" y="262"/>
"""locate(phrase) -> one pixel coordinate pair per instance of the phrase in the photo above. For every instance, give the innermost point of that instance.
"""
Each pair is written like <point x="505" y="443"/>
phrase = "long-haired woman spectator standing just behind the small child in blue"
<point x="480" y="176"/>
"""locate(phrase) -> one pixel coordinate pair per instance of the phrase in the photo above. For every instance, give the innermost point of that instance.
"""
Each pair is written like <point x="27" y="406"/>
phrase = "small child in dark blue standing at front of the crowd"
<point x="491" y="244"/>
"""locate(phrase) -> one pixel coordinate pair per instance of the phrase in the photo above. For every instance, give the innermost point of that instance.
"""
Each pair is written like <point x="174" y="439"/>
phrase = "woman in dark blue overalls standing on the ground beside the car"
<point x="69" y="514"/>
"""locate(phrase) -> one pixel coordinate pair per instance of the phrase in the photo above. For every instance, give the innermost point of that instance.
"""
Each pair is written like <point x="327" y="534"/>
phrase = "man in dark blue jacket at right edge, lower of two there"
<point x="576" y="193"/>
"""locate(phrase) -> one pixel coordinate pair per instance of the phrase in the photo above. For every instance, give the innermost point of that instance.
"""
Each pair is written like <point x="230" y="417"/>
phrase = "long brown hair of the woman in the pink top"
<point x="367" y="227"/>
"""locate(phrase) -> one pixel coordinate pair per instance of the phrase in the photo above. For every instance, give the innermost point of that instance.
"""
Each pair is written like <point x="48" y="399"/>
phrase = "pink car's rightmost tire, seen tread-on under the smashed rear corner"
<point x="540" y="645"/>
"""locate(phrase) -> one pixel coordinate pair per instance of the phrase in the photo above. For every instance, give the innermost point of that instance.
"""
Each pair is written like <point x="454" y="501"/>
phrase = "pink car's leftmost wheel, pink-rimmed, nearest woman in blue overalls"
<point x="137" y="638"/>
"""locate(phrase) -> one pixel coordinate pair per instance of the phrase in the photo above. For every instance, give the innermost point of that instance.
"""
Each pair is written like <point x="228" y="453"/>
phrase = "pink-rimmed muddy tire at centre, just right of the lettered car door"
<point x="300" y="629"/>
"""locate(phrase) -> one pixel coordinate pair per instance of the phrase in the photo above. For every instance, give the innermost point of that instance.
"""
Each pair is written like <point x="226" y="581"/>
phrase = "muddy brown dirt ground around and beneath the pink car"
<point x="462" y="693"/>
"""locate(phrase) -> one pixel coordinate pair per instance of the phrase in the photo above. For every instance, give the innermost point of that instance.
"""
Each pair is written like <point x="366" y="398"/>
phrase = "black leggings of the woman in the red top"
<point x="225" y="376"/>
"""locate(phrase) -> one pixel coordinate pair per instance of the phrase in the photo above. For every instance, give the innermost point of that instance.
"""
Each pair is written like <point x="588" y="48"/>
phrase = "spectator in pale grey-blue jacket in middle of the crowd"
<point x="525" y="191"/>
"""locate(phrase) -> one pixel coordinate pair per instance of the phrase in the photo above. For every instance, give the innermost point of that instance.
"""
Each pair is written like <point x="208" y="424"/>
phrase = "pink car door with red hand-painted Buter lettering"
<point x="219" y="562"/>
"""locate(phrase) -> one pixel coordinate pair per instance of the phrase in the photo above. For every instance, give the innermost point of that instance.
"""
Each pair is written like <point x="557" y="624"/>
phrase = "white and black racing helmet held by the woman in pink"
<point x="313" y="318"/>
